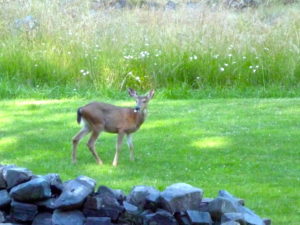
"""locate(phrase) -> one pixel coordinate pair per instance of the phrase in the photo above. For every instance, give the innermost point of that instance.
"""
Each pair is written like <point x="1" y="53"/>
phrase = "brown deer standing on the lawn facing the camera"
<point x="97" y="117"/>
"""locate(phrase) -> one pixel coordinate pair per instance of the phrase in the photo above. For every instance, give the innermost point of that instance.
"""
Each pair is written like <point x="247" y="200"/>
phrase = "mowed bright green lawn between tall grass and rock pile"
<point x="250" y="147"/>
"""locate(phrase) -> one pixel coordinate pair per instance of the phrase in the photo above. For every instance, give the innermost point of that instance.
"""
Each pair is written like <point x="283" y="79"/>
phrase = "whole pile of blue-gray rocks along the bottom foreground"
<point x="45" y="200"/>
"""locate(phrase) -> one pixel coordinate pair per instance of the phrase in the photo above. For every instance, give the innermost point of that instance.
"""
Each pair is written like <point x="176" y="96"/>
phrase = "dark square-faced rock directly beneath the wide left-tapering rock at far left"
<point x="23" y="212"/>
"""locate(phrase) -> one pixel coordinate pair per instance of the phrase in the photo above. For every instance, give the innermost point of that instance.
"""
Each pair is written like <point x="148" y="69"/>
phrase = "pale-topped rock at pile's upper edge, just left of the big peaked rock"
<point x="144" y="197"/>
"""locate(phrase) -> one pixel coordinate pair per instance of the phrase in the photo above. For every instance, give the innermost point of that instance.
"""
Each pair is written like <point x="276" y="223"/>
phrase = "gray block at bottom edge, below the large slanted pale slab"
<point x="68" y="217"/>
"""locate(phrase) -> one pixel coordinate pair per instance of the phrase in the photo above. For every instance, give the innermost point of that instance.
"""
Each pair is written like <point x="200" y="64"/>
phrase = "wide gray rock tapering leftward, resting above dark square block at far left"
<point x="33" y="190"/>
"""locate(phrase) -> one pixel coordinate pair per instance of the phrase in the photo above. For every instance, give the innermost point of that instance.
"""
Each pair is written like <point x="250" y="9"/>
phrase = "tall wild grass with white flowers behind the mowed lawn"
<point x="82" y="48"/>
